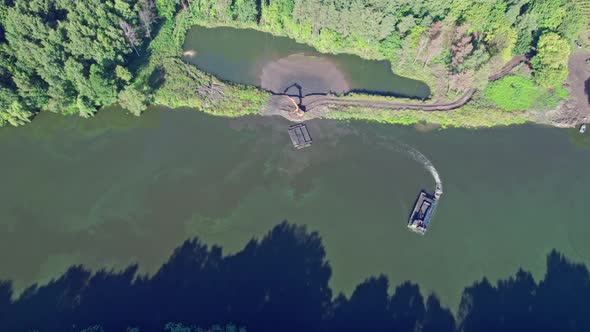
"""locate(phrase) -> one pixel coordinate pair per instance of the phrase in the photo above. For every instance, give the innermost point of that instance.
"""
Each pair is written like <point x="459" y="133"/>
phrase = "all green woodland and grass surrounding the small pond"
<point x="75" y="57"/>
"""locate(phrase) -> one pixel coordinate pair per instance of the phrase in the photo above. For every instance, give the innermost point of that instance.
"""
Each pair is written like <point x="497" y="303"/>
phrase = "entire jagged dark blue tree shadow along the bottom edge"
<point x="281" y="282"/>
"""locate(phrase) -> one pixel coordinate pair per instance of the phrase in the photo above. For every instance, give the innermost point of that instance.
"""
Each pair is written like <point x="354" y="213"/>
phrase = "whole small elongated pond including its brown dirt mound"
<point x="257" y="58"/>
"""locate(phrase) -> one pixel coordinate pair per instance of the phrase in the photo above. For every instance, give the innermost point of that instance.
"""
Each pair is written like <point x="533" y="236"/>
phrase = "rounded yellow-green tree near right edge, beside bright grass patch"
<point x="550" y="63"/>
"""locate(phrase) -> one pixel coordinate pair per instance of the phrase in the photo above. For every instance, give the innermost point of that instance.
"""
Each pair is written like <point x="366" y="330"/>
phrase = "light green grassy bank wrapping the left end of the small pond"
<point x="174" y="83"/>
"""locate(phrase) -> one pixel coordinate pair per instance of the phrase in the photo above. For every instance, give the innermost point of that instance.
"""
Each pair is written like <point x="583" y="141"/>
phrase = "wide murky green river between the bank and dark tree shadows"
<point x="116" y="189"/>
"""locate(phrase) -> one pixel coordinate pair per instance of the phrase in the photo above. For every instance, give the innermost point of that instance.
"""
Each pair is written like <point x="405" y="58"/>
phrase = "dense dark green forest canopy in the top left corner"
<point x="66" y="56"/>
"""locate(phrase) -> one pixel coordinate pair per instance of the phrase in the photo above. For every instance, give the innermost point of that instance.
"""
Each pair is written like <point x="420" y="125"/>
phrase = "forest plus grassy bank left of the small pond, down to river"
<point x="74" y="57"/>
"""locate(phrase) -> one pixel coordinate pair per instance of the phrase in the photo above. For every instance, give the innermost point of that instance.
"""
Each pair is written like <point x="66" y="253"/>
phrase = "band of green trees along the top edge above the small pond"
<point x="498" y="27"/>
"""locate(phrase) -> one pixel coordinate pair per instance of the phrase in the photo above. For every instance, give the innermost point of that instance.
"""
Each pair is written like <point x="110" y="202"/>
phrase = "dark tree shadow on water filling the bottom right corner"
<point x="556" y="303"/>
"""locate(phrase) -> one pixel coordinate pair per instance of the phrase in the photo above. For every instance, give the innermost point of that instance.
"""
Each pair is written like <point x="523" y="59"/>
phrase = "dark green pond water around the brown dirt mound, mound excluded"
<point x="240" y="55"/>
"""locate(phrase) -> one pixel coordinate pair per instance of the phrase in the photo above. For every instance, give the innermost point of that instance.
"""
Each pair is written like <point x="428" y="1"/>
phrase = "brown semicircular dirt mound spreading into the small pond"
<point x="313" y="74"/>
